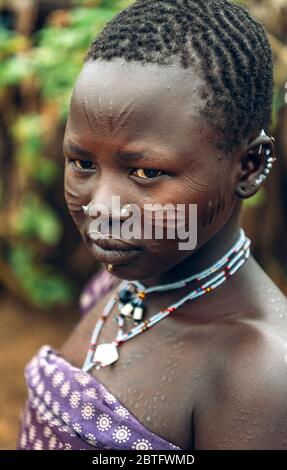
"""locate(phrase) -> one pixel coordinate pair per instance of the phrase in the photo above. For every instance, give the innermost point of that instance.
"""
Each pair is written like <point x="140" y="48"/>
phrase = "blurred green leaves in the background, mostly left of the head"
<point x="49" y="61"/>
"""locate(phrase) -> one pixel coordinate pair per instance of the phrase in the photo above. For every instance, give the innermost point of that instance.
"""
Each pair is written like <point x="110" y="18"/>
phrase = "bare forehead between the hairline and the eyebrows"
<point x="125" y="101"/>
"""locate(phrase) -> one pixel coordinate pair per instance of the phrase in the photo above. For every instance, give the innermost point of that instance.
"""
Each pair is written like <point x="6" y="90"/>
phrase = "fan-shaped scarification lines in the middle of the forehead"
<point x="113" y="123"/>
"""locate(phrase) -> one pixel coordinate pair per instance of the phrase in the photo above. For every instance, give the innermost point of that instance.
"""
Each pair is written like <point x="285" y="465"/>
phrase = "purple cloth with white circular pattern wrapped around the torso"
<point x="70" y="409"/>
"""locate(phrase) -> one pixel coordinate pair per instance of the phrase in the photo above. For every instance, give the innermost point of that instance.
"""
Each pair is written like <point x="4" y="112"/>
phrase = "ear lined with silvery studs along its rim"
<point x="255" y="163"/>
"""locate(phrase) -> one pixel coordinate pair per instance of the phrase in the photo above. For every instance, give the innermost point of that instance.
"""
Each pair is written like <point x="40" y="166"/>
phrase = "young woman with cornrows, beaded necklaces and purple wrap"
<point x="172" y="106"/>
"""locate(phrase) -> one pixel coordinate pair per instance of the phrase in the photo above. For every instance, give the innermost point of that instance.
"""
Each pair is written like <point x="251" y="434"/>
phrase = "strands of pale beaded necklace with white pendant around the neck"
<point x="106" y="354"/>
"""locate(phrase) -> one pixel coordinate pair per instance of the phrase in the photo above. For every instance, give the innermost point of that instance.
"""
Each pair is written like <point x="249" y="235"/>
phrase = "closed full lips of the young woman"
<point x="112" y="251"/>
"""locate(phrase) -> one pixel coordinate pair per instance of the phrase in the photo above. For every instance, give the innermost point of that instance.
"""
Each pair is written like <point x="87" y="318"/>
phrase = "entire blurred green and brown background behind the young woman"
<point x="43" y="263"/>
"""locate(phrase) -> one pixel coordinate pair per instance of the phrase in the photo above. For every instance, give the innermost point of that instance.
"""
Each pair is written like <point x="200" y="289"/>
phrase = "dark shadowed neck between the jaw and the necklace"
<point x="204" y="256"/>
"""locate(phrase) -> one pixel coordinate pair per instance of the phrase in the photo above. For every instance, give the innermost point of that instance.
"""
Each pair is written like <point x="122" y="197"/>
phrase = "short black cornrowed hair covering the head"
<point x="228" y="46"/>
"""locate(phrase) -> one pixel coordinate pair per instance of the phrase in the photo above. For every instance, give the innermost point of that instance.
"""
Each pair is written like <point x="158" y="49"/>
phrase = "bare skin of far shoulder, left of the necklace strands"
<point x="75" y="347"/>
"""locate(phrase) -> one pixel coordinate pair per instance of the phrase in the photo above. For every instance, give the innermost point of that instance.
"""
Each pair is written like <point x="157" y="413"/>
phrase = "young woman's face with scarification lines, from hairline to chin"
<point x="135" y="132"/>
